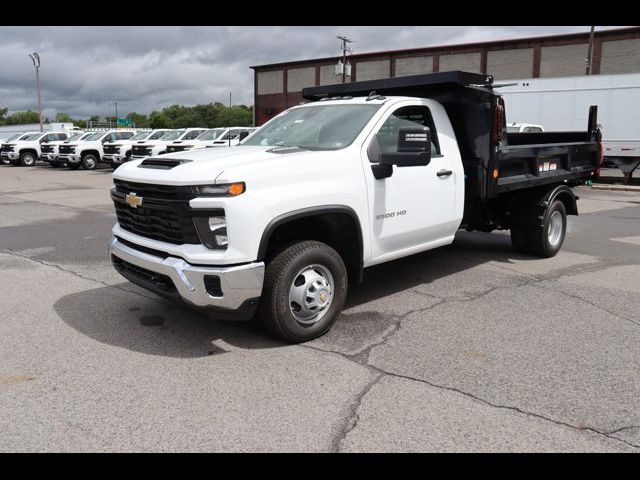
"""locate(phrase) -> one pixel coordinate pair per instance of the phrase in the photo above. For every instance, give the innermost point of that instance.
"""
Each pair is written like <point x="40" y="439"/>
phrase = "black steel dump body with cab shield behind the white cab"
<point x="497" y="165"/>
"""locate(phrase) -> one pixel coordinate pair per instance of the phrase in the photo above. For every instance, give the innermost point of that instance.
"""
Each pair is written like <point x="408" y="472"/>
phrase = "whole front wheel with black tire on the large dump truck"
<point x="305" y="288"/>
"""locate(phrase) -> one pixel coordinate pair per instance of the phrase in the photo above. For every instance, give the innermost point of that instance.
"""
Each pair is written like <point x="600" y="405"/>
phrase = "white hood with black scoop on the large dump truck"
<point x="204" y="166"/>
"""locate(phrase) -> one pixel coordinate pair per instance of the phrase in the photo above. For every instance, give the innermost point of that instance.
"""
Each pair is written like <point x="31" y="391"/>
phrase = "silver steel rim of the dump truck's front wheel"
<point x="311" y="294"/>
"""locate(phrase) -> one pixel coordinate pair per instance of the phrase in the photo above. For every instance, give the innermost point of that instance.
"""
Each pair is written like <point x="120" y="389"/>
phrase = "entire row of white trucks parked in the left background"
<point x="87" y="149"/>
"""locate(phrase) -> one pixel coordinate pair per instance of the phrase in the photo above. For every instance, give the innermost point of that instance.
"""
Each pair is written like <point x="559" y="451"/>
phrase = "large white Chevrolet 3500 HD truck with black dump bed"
<point x="366" y="173"/>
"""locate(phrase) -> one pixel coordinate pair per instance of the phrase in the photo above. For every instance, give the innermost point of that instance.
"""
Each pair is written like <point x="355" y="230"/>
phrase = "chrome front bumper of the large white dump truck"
<point x="233" y="294"/>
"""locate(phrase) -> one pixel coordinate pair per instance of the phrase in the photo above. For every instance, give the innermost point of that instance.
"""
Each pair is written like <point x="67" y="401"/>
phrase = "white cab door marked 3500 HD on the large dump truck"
<point x="413" y="208"/>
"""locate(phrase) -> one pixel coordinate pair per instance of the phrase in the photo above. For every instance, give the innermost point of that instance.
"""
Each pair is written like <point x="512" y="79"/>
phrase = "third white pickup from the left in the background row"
<point x="89" y="152"/>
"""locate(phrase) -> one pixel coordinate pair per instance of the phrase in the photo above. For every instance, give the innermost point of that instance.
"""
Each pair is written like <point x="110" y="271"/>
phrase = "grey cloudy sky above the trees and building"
<point x="84" y="69"/>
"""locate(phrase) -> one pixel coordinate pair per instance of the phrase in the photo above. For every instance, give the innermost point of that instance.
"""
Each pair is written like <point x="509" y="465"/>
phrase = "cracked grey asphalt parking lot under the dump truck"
<point x="471" y="347"/>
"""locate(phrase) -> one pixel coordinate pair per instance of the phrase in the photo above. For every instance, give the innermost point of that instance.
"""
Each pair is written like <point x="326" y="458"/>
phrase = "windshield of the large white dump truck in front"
<point x="318" y="127"/>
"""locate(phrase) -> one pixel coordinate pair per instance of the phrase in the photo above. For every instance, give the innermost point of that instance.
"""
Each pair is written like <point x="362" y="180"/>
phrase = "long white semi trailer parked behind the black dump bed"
<point x="562" y="104"/>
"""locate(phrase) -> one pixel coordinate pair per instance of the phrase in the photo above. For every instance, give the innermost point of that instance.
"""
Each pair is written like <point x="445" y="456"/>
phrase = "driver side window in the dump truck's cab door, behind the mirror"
<point x="410" y="116"/>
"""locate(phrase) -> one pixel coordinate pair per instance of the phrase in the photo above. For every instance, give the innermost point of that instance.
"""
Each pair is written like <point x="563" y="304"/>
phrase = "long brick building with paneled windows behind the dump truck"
<point x="279" y="86"/>
